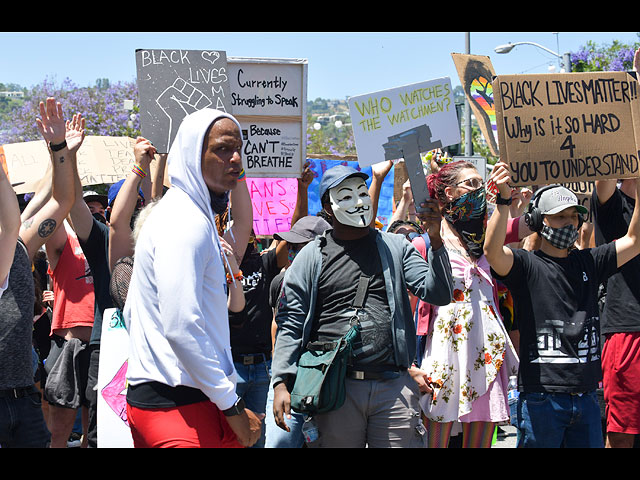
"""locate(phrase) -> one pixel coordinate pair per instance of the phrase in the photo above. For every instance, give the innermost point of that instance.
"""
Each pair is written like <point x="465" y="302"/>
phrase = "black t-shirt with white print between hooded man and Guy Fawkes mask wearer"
<point x="251" y="328"/>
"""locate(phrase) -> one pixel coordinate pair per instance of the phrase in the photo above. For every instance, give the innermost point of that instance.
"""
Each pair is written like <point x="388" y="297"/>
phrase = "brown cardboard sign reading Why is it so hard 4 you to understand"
<point x="571" y="127"/>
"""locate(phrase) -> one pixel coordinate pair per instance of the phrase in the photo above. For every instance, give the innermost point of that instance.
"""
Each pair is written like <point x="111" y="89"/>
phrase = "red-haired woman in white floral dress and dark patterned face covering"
<point x="468" y="355"/>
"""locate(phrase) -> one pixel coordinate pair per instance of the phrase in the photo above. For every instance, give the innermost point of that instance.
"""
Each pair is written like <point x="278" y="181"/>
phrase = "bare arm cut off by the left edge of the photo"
<point x="9" y="225"/>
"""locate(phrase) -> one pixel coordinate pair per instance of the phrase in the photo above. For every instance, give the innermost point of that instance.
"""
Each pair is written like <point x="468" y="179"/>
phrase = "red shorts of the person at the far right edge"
<point x="621" y="382"/>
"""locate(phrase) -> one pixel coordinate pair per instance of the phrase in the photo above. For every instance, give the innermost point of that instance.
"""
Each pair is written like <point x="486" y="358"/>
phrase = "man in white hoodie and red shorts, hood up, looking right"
<point x="182" y="382"/>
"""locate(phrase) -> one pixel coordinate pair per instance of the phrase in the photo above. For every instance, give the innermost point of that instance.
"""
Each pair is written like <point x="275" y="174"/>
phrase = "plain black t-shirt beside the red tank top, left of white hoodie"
<point x="96" y="251"/>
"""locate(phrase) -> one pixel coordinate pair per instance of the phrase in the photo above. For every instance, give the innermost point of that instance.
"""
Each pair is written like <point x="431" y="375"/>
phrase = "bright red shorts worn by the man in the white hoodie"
<point x="197" y="425"/>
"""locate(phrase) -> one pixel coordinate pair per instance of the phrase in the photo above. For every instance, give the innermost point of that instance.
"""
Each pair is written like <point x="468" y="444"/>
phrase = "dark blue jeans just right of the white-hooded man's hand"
<point x="253" y="387"/>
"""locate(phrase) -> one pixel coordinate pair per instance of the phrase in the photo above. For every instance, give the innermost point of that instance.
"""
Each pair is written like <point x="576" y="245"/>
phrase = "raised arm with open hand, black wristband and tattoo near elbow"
<point x="36" y="230"/>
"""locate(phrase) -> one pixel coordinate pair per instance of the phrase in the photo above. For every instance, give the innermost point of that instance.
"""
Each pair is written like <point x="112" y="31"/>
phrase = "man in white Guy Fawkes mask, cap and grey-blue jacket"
<point x="316" y="305"/>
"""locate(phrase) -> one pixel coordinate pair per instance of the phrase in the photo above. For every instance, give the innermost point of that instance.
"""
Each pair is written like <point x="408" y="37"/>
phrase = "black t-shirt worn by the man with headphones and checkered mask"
<point x="557" y="310"/>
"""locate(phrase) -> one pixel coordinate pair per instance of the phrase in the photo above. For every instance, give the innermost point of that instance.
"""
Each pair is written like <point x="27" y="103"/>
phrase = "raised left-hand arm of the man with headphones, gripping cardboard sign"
<point x="499" y="257"/>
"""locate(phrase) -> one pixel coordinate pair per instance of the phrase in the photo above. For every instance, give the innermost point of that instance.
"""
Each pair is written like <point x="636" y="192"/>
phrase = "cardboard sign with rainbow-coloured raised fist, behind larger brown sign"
<point x="476" y="74"/>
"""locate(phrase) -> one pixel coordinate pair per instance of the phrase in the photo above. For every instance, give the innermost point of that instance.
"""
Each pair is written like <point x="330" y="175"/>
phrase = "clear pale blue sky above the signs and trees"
<point x="341" y="64"/>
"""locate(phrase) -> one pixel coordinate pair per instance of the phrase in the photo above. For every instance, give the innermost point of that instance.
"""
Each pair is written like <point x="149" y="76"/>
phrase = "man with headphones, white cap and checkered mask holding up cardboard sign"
<point x="555" y="295"/>
